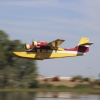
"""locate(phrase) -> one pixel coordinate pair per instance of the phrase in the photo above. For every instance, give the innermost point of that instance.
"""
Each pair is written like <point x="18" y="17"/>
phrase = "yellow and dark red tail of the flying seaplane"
<point x="83" y="45"/>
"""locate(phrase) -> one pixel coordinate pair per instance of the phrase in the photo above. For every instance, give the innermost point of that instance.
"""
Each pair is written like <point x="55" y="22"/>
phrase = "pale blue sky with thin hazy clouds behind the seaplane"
<point x="47" y="20"/>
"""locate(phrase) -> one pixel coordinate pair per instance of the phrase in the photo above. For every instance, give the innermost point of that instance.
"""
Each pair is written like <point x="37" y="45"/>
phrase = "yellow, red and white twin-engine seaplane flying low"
<point x="40" y="50"/>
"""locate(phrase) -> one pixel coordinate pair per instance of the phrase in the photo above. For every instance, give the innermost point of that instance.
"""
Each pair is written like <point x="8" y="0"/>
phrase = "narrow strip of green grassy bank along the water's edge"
<point x="72" y="90"/>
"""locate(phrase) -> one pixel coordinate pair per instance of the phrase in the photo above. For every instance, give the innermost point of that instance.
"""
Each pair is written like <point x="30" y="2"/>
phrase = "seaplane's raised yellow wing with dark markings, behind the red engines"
<point x="55" y="44"/>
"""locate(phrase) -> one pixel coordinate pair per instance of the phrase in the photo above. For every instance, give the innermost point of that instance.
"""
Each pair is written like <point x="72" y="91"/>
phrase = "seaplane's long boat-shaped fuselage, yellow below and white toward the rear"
<point x="41" y="54"/>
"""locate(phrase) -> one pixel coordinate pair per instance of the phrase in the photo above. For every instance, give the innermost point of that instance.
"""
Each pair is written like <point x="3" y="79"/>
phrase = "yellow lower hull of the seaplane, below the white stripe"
<point x="43" y="55"/>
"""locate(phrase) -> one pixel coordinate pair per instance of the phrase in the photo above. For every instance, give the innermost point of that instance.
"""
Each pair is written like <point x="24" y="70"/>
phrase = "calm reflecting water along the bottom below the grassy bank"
<point x="46" y="96"/>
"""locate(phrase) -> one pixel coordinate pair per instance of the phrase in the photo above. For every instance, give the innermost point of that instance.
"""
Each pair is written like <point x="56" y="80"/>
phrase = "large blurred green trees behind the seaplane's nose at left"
<point x="14" y="71"/>
